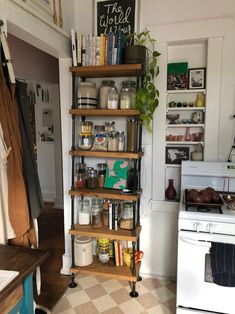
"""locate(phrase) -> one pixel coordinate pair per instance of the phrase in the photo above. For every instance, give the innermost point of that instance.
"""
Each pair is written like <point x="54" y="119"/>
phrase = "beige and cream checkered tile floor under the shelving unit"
<point x="102" y="295"/>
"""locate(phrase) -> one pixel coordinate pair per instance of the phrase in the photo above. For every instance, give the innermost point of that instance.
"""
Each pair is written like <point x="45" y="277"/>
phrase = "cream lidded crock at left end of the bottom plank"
<point x="83" y="251"/>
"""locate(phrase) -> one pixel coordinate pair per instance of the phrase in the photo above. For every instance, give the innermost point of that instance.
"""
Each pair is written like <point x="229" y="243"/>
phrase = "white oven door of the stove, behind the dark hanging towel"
<point x="195" y="289"/>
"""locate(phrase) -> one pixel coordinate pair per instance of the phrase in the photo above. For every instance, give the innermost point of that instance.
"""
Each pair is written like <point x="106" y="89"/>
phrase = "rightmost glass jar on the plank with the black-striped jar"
<point x="128" y="95"/>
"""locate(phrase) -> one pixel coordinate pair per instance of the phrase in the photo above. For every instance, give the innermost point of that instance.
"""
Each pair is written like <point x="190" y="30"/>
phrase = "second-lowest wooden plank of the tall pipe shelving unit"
<point x="119" y="234"/>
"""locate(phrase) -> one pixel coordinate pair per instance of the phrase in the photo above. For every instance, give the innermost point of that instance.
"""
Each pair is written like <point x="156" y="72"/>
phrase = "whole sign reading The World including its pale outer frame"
<point x="121" y="12"/>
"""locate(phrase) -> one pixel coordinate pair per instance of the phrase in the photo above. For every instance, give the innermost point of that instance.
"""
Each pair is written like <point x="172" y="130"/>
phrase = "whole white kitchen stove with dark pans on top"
<point x="198" y="228"/>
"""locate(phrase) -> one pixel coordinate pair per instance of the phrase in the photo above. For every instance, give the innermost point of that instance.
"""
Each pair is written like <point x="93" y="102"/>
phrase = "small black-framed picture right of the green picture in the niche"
<point x="196" y="78"/>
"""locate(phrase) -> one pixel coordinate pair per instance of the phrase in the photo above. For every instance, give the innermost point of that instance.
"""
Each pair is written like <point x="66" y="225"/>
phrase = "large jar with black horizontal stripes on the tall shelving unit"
<point x="87" y="96"/>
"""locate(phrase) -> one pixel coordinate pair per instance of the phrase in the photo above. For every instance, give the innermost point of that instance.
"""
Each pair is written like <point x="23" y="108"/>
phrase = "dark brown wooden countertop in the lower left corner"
<point x="20" y="259"/>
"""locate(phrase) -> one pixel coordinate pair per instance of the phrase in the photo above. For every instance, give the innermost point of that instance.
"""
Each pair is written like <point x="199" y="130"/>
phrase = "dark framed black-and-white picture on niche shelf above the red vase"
<point x="175" y="155"/>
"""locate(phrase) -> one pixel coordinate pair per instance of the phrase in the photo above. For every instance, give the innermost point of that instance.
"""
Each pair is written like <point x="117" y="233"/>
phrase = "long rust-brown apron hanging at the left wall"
<point x="17" y="198"/>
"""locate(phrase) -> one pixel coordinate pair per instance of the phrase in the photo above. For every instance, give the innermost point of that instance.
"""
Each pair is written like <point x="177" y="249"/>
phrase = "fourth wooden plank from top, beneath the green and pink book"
<point x="106" y="193"/>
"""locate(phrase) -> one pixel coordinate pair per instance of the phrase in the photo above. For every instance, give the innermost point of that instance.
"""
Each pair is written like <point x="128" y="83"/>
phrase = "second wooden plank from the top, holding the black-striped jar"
<point x="105" y="112"/>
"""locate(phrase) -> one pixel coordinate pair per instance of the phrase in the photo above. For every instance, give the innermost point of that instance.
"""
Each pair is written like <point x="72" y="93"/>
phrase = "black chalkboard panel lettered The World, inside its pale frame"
<point x="114" y="15"/>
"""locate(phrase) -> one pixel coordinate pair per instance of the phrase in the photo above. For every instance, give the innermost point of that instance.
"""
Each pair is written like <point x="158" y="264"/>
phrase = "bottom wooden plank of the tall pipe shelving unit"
<point x="108" y="270"/>
